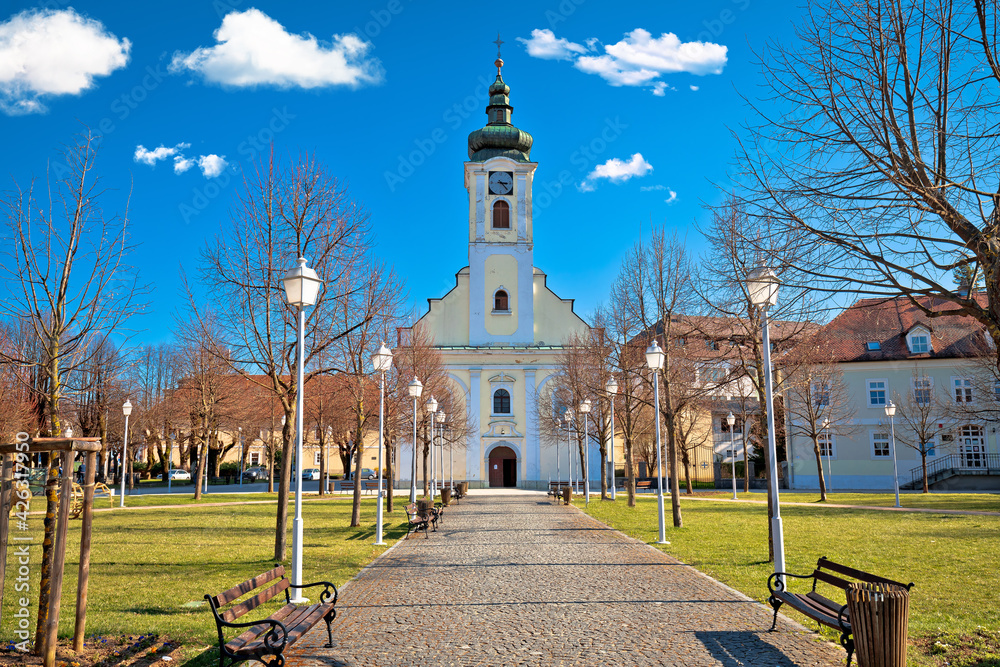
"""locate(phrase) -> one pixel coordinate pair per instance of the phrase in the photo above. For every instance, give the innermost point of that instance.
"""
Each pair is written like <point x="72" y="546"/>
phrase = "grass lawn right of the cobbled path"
<point x="951" y="558"/>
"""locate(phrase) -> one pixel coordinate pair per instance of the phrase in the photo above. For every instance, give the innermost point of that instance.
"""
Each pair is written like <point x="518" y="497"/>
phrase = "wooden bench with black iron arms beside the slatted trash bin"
<point x="818" y="607"/>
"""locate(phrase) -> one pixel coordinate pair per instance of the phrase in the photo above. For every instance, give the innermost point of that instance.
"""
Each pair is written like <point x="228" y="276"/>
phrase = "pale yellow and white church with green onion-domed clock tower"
<point x="500" y="331"/>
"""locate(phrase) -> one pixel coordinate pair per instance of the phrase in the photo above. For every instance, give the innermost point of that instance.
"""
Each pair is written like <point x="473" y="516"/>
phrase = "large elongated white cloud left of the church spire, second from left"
<point x="253" y="49"/>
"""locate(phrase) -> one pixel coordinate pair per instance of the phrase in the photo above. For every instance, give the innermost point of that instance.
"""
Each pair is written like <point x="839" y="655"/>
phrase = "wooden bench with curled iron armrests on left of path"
<point x="268" y="636"/>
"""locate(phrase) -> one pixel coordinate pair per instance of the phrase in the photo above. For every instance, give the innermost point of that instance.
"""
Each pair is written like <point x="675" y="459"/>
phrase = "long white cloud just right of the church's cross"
<point x="638" y="59"/>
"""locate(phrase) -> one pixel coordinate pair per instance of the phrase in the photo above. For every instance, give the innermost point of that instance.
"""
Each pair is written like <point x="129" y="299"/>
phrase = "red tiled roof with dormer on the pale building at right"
<point x="887" y="322"/>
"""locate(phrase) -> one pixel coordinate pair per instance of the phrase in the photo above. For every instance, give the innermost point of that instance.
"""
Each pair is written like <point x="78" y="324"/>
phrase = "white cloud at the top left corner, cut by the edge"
<point x="47" y="52"/>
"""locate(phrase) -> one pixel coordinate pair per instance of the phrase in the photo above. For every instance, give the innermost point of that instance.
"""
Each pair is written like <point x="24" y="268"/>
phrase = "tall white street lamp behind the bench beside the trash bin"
<point x="762" y="288"/>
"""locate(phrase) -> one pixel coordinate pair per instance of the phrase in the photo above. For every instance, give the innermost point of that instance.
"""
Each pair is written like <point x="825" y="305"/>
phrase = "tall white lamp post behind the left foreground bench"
<point x="301" y="289"/>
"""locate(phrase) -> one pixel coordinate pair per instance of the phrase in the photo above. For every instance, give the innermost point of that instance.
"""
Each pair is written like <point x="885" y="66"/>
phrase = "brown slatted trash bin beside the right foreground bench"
<point x="880" y="616"/>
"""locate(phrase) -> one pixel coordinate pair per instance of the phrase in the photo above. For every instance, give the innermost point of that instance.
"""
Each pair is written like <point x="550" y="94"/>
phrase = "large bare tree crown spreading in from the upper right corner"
<point x="877" y="150"/>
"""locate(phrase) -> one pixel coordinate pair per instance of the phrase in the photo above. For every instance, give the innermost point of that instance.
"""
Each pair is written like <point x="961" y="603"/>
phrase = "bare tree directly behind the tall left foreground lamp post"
<point x="284" y="212"/>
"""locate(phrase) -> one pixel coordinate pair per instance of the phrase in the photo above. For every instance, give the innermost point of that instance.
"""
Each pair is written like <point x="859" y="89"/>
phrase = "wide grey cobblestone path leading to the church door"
<point x="518" y="580"/>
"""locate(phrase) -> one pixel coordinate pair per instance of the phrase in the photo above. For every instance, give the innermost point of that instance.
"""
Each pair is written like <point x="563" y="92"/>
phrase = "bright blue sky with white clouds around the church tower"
<point x="385" y="93"/>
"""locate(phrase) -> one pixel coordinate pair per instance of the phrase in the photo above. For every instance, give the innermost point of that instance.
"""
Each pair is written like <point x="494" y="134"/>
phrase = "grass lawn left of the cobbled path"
<point x="151" y="569"/>
